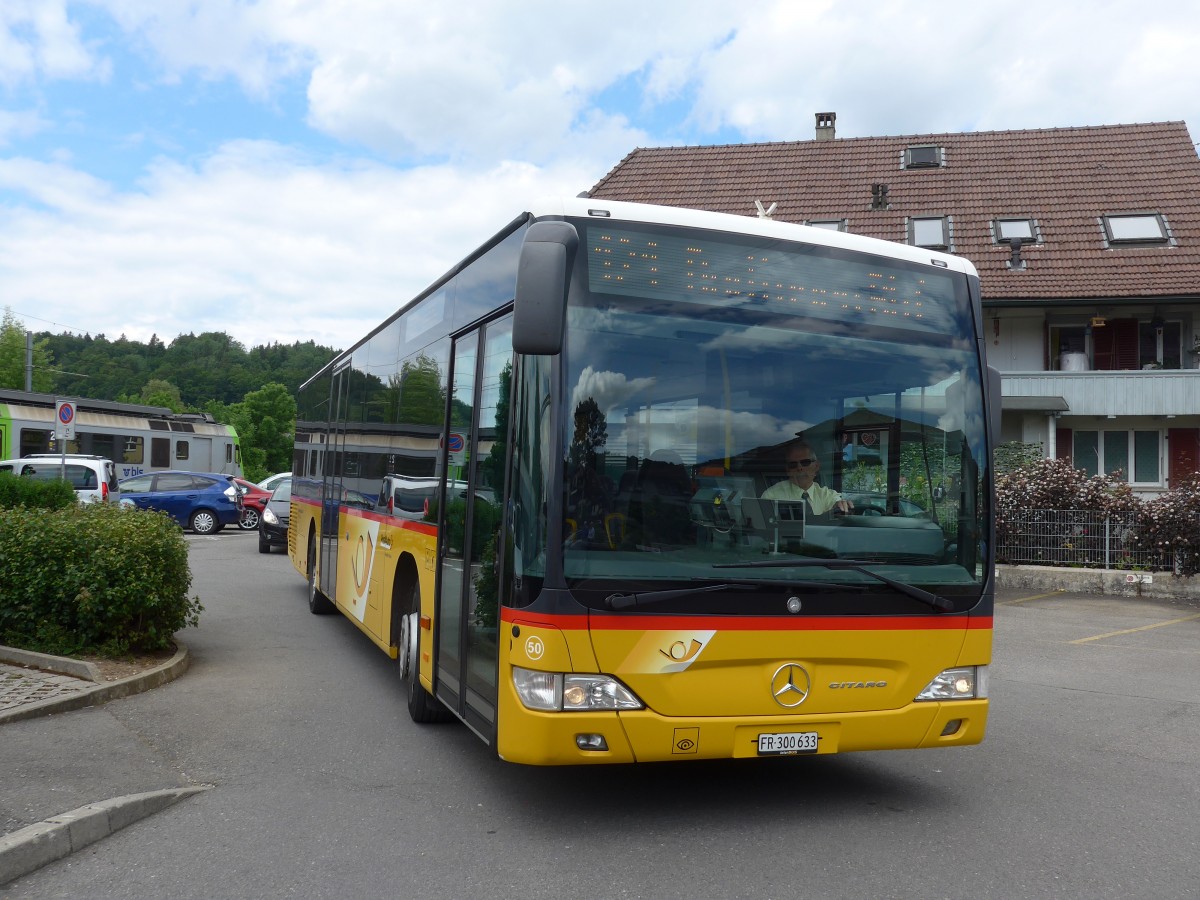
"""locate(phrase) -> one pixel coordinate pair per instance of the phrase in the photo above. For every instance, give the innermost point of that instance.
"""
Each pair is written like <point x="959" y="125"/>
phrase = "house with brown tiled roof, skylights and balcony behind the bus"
<point x="1087" y="241"/>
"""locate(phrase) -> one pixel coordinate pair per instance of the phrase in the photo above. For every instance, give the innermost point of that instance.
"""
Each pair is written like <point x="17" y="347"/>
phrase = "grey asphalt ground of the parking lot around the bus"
<point x="322" y="787"/>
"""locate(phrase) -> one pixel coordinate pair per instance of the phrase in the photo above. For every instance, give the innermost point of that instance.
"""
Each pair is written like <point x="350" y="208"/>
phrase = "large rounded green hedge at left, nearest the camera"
<point x="93" y="579"/>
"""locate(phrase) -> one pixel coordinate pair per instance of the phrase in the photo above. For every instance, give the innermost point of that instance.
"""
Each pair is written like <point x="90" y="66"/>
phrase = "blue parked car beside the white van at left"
<point x="205" y="502"/>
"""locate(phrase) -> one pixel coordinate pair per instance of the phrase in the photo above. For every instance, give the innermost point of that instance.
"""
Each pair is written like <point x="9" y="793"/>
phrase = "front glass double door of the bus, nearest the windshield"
<point x="477" y="442"/>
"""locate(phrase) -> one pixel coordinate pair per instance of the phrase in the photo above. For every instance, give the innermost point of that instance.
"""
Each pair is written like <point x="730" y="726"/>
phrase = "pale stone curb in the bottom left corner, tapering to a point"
<point x="58" y="837"/>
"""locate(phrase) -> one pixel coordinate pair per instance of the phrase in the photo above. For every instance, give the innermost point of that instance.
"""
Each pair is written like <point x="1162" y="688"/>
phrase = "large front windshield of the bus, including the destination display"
<point x="747" y="416"/>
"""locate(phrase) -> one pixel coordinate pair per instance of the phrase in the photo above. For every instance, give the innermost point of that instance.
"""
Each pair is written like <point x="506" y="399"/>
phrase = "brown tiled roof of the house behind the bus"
<point x="1064" y="178"/>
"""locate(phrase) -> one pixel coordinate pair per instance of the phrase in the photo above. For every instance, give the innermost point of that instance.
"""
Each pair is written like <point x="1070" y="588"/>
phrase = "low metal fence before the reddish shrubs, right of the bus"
<point x="1075" y="538"/>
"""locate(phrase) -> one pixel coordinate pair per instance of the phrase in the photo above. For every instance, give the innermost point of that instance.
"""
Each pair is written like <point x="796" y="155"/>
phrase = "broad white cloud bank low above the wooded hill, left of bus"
<point x="257" y="242"/>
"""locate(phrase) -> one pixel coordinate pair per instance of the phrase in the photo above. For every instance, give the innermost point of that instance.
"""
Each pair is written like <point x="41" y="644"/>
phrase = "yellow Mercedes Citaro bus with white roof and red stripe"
<point x="560" y="489"/>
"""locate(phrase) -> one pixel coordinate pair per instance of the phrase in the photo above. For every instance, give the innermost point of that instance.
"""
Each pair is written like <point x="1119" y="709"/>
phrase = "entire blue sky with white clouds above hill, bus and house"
<point x="297" y="170"/>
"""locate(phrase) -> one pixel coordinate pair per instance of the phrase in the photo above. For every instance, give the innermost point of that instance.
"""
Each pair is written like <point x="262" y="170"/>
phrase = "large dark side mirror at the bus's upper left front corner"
<point x="544" y="274"/>
